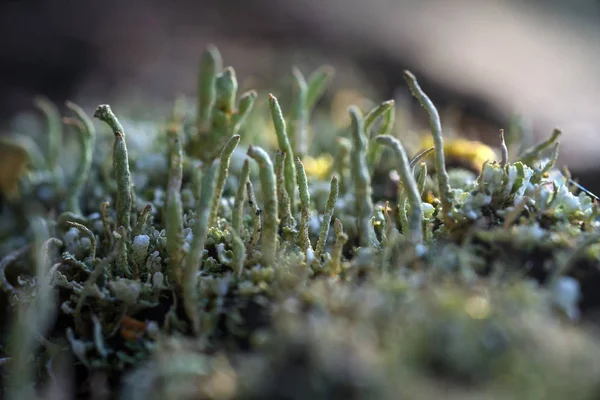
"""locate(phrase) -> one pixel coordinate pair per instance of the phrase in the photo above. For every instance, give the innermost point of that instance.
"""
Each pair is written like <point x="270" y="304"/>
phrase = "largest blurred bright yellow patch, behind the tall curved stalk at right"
<point x="464" y="152"/>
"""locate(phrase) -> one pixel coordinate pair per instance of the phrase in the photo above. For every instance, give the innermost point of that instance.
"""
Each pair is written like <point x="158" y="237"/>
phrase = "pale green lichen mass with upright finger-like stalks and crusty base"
<point x="209" y="265"/>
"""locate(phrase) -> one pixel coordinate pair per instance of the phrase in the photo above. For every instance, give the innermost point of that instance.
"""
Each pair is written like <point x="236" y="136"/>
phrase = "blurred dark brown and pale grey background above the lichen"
<point x="486" y="60"/>
